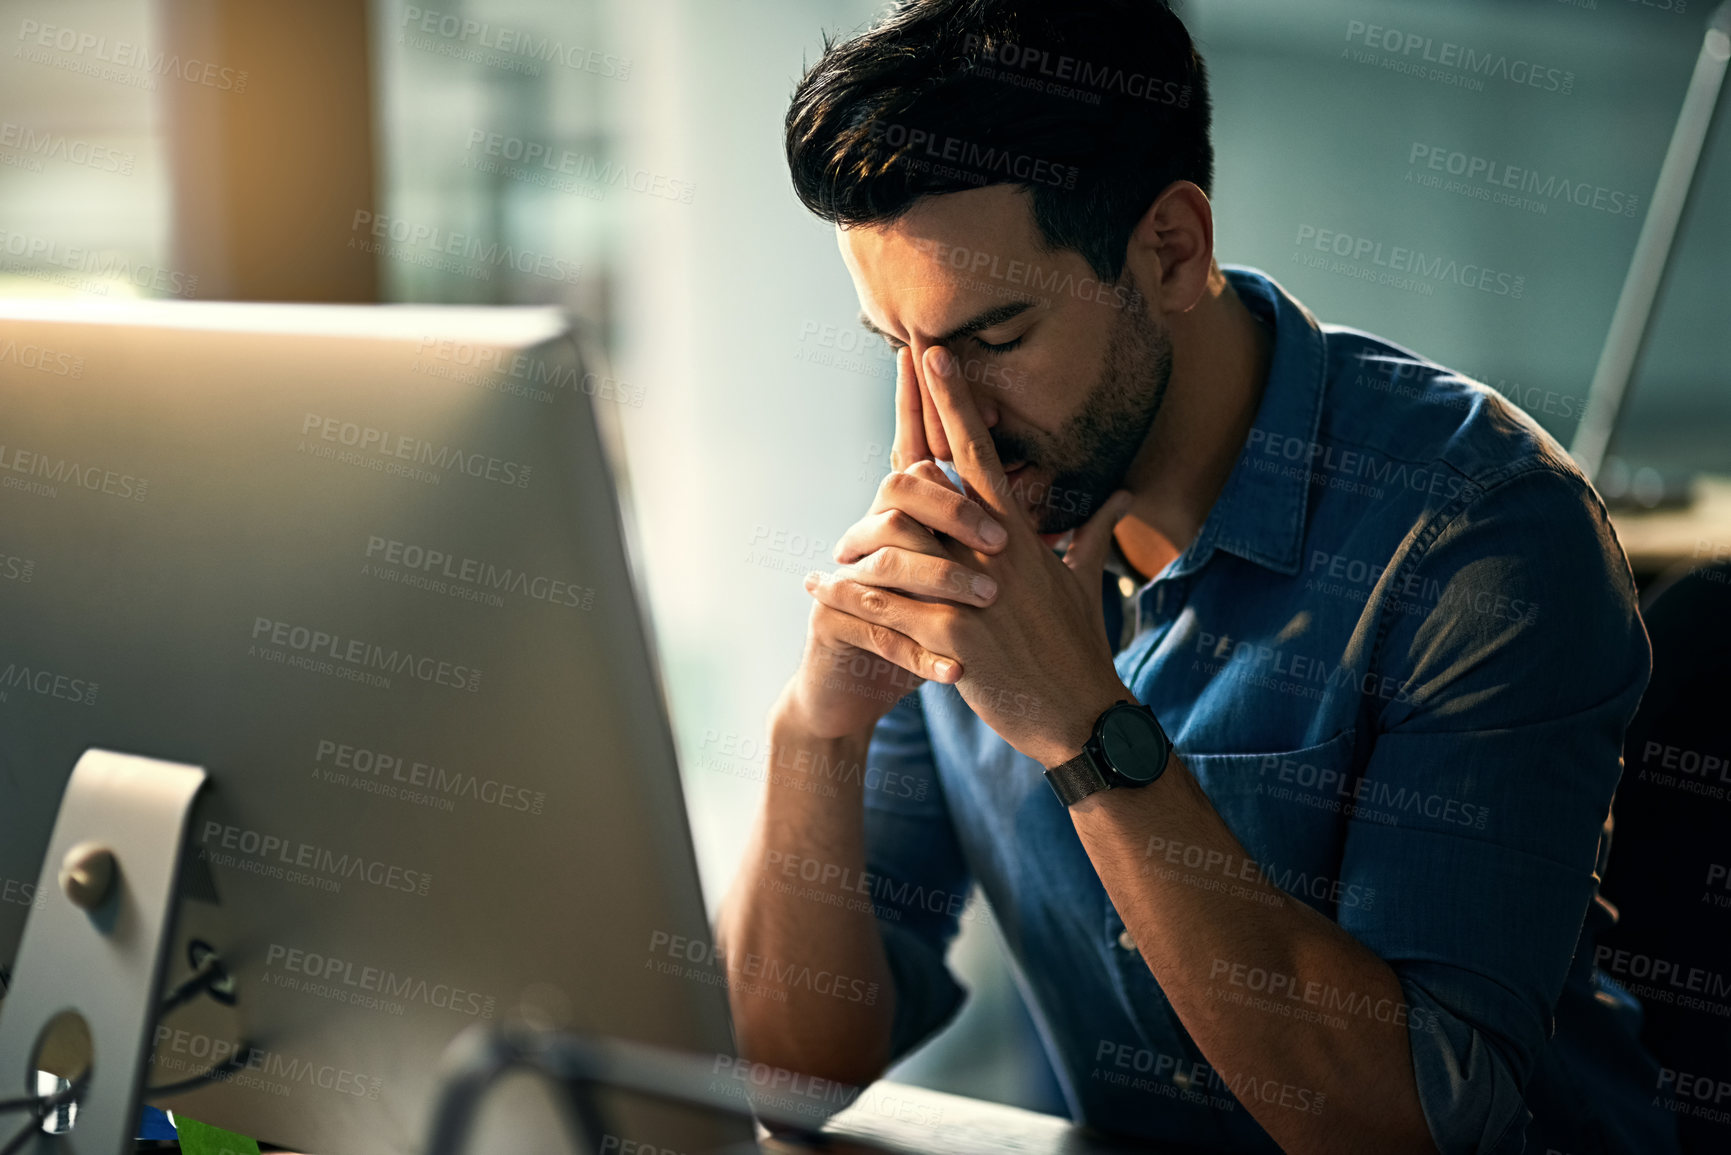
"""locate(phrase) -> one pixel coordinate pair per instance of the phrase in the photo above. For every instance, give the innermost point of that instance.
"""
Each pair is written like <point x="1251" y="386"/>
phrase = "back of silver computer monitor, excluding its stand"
<point x="366" y="567"/>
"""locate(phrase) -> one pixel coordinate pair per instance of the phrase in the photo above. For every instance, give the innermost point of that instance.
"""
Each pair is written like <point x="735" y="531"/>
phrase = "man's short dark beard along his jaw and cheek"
<point x="1090" y="458"/>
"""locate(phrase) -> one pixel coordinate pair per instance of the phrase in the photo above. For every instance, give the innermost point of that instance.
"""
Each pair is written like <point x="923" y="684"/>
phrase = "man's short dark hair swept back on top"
<point x="1093" y="106"/>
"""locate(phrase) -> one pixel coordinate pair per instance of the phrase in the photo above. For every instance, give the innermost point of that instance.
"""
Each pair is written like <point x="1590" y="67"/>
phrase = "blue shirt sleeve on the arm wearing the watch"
<point x="1509" y="668"/>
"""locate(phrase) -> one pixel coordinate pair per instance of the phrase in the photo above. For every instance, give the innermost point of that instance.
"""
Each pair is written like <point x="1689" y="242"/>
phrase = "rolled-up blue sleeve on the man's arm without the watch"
<point x="918" y="875"/>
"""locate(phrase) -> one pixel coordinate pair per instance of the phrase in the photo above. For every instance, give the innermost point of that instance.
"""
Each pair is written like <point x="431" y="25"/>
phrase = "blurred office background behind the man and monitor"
<point x="368" y="152"/>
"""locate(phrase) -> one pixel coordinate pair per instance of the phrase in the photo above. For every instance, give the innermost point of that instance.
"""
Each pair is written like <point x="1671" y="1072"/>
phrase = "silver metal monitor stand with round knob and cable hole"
<point x="100" y="943"/>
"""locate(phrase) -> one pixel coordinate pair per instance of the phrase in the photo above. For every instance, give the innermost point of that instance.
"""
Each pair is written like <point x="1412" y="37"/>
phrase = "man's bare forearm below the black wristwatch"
<point x="1290" y="1010"/>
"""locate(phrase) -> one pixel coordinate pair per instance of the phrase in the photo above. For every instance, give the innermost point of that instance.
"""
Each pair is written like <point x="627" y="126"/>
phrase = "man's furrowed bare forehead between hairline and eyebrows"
<point x="946" y="255"/>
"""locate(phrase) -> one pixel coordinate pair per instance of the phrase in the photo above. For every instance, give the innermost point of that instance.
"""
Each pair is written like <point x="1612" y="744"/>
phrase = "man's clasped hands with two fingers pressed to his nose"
<point x="956" y="586"/>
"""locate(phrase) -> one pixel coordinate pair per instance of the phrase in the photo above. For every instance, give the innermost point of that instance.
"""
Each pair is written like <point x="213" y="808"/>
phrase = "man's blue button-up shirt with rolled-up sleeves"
<point x="1400" y="659"/>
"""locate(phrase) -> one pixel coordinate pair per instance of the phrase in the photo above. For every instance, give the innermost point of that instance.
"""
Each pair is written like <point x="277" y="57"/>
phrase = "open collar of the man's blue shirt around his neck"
<point x="1261" y="513"/>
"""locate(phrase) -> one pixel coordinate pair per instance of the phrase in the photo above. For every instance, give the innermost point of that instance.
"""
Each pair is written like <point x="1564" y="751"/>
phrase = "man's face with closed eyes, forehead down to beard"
<point x="1067" y="373"/>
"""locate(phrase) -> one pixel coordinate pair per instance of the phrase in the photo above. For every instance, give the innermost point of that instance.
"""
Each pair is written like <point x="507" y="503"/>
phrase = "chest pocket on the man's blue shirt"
<point x="1289" y="811"/>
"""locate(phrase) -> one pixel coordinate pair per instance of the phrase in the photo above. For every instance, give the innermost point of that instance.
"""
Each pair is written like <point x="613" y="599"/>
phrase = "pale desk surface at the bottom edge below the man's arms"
<point x="901" y="1120"/>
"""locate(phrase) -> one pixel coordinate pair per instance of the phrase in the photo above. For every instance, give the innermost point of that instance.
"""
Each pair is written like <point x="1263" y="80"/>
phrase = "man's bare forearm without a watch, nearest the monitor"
<point x="809" y="981"/>
